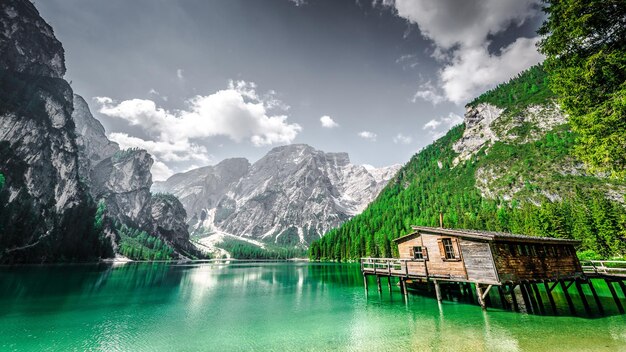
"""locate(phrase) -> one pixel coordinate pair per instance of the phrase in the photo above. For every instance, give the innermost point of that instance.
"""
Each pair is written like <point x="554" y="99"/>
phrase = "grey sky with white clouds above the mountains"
<point x="197" y="81"/>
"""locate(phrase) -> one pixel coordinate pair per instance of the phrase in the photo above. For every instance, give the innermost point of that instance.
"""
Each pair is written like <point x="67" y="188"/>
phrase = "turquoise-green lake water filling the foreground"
<point x="264" y="307"/>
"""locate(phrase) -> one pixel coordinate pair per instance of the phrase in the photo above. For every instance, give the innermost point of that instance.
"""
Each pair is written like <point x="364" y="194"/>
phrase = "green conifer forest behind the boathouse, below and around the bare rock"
<point x="422" y="190"/>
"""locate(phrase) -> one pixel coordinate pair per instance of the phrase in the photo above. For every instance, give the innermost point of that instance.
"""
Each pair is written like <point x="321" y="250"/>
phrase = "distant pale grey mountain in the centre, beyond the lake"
<point x="291" y="196"/>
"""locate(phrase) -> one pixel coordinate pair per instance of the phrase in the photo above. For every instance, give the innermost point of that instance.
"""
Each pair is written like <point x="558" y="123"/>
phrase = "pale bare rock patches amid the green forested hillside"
<point x="551" y="177"/>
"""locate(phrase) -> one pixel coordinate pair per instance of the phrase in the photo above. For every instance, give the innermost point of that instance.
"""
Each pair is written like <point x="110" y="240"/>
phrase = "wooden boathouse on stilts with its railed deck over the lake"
<point x="490" y="259"/>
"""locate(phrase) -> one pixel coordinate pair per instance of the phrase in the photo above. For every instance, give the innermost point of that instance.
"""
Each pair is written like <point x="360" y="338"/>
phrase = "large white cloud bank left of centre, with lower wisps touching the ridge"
<point x="237" y="112"/>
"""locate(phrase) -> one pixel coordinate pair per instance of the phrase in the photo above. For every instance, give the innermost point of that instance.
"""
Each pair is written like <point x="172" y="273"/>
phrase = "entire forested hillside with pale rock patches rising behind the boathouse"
<point x="526" y="181"/>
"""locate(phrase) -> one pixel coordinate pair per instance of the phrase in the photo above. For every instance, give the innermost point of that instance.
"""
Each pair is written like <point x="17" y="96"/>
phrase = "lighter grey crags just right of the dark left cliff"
<point x="122" y="179"/>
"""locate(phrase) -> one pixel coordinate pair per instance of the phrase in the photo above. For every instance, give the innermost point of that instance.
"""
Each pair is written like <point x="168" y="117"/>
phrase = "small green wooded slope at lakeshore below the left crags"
<point x="139" y="245"/>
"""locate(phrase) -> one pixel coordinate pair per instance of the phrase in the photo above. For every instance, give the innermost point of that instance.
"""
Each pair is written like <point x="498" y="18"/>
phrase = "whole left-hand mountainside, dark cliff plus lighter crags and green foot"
<point x="67" y="193"/>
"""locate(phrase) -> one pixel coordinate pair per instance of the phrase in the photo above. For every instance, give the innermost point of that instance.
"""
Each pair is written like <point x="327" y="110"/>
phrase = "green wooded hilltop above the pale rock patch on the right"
<point x="528" y="88"/>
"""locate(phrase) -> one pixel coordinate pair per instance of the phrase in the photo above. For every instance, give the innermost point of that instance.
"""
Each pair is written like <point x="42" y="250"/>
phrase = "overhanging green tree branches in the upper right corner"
<point x="585" y="47"/>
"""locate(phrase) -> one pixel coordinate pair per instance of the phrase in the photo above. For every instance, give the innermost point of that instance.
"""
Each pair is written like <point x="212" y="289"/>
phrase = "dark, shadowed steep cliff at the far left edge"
<point x="45" y="212"/>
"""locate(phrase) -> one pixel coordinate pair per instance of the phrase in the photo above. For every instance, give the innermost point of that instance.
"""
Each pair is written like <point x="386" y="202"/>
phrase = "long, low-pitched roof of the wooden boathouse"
<point x="484" y="235"/>
